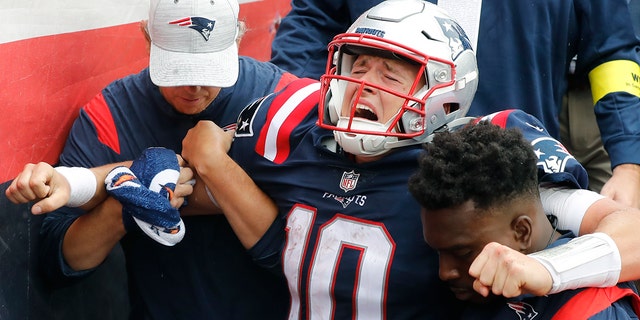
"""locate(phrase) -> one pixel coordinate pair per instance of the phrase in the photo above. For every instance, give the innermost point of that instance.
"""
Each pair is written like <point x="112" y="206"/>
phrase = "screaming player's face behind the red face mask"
<point x="374" y="104"/>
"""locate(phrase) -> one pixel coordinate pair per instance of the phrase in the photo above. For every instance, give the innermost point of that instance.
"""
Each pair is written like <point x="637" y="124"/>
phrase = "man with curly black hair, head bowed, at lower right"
<point x="478" y="187"/>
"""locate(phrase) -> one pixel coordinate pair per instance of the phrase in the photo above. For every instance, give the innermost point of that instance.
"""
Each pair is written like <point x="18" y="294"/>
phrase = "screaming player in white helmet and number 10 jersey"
<point x="335" y="157"/>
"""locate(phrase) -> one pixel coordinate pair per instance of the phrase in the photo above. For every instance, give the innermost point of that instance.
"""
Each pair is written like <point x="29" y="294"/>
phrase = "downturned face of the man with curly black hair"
<point x="459" y="234"/>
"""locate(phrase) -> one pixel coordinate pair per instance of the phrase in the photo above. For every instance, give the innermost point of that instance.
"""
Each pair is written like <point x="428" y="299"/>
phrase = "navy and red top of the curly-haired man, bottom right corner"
<point x="618" y="302"/>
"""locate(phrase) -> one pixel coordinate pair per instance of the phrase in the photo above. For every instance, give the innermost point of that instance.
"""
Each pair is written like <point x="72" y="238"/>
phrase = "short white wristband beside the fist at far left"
<point x="82" y="182"/>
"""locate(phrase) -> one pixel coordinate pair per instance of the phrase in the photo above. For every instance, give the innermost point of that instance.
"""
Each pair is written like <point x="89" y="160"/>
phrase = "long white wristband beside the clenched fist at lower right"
<point x="592" y="260"/>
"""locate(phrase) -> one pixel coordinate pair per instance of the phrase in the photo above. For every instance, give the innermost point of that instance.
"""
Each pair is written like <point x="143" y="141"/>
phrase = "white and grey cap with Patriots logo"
<point x="193" y="42"/>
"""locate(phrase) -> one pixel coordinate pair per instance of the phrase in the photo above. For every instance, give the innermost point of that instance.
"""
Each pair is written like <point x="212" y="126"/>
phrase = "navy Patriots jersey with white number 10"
<point x="353" y="246"/>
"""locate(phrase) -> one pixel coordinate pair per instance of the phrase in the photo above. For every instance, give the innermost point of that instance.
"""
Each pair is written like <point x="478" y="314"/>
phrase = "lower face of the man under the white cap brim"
<point x="190" y="99"/>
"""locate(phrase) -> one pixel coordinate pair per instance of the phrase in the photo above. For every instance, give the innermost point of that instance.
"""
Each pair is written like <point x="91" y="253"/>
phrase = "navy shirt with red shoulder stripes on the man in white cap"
<point x="208" y="275"/>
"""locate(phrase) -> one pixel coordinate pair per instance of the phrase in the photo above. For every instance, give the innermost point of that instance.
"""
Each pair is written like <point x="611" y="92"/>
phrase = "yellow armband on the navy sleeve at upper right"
<point x="615" y="76"/>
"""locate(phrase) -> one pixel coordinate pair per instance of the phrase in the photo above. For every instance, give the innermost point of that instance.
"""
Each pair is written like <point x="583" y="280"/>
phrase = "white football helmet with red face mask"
<point x="411" y="30"/>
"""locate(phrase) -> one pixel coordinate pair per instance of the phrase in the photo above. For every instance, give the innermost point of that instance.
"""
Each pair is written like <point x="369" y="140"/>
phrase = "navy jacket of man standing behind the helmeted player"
<point x="524" y="52"/>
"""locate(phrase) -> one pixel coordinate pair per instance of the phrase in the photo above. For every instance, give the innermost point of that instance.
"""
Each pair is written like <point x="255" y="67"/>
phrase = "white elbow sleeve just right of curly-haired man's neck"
<point x="568" y="205"/>
